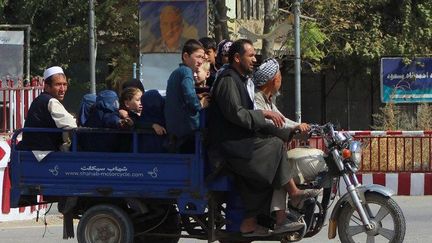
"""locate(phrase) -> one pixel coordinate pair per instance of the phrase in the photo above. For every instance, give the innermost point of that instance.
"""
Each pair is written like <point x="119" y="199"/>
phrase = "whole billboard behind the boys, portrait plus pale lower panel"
<point x="164" y="27"/>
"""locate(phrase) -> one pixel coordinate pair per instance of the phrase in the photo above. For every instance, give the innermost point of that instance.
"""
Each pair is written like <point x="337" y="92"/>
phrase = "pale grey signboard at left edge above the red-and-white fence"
<point x="11" y="54"/>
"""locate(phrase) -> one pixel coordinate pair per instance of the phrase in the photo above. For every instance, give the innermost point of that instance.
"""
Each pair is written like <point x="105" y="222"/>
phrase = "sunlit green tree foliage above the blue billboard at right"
<point x="368" y="30"/>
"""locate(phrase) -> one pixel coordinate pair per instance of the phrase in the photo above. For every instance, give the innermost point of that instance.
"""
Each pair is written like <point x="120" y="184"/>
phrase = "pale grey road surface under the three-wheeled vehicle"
<point x="417" y="211"/>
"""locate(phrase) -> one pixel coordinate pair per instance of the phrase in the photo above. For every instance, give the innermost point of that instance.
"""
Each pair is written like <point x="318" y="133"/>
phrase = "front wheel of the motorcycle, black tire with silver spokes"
<point x="389" y="225"/>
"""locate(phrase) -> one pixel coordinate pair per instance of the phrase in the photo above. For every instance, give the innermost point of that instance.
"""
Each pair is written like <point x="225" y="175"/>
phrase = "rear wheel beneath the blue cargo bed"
<point x="105" y="223"/>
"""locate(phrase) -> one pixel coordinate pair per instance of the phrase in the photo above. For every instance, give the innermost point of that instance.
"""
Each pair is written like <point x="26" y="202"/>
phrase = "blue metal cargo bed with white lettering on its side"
<point x="102" y="174"/>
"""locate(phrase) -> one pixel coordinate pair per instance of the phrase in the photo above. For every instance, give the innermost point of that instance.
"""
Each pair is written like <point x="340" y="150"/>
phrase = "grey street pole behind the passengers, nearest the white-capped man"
<point x="92" y="51"/>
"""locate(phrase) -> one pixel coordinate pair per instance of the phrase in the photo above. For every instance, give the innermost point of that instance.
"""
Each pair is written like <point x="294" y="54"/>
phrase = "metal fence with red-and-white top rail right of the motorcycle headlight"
<point x="390" y="151"/>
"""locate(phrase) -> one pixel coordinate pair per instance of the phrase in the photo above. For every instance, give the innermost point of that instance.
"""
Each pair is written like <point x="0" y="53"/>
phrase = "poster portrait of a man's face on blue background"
<point x="166" y="25"/>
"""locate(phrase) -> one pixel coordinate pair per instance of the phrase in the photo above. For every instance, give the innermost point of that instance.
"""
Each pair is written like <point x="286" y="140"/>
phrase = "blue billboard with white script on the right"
<point x="403" y="82"/>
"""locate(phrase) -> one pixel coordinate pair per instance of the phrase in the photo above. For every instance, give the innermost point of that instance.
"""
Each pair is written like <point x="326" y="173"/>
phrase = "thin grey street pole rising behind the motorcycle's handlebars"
<point x="297" y="60"/>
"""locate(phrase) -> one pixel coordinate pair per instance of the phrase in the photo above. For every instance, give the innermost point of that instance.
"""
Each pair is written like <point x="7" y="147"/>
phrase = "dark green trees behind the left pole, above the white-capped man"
<point x="59" y="33"/>
